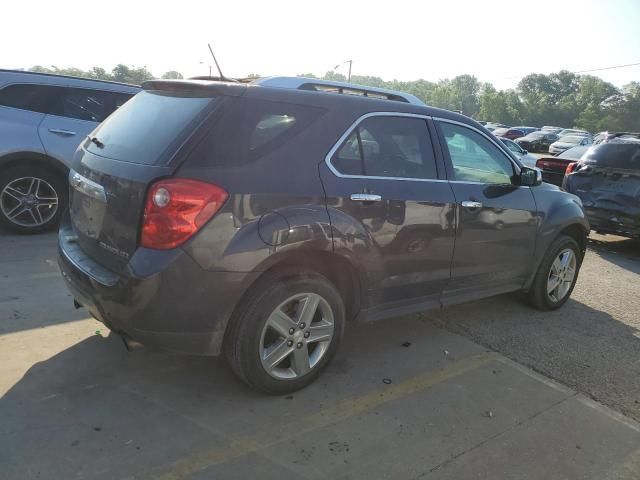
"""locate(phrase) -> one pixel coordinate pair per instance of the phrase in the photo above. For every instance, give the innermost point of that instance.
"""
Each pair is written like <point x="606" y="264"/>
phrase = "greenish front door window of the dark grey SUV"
<point x="474" y="158"/>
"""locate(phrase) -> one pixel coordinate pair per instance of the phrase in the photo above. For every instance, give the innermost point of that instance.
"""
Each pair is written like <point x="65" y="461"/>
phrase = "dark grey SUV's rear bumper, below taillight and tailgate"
<point x="179" y="307"/>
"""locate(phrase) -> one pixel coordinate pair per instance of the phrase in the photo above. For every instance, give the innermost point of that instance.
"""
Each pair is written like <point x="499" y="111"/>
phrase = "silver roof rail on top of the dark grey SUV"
<point x="317" y="85"/>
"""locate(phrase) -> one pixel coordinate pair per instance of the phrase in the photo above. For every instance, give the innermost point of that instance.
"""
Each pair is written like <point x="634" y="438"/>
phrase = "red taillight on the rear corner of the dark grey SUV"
<point x="177" y="208"/>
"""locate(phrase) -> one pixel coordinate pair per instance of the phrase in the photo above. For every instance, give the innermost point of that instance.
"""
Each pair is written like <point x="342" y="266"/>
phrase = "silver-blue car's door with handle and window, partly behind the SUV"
<point x="73" y="113"/>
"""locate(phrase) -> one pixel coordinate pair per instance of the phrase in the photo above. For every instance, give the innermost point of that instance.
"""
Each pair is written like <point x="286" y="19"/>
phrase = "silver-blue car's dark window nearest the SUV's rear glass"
<point x="86" y="104"/>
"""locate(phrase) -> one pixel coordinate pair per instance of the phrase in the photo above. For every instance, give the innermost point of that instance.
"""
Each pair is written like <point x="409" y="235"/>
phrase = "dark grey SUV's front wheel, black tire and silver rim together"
<point x="557" y="274"/>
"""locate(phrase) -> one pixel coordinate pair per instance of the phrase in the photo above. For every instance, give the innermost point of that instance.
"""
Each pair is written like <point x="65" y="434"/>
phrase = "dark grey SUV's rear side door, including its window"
<point x="391" y="210"/>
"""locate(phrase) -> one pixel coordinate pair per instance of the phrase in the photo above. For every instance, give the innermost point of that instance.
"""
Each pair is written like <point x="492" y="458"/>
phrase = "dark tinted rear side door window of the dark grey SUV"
<point x="388" y="147"/>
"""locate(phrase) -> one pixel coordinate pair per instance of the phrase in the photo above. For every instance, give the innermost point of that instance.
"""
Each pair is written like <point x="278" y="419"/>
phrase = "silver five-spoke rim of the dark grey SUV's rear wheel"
<point x="296" y="336"/>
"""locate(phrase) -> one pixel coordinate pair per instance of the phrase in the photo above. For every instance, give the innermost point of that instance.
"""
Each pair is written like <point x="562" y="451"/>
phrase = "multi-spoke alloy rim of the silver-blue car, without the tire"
<point x="29" y="201"/>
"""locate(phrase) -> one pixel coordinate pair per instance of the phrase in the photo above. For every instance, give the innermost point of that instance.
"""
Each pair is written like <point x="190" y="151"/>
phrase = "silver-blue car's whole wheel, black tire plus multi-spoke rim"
<point x="32" y="198"/>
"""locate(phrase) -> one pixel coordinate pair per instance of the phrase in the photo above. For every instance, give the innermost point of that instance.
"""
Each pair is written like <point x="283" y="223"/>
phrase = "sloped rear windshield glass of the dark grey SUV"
<point x="150" y="127"/>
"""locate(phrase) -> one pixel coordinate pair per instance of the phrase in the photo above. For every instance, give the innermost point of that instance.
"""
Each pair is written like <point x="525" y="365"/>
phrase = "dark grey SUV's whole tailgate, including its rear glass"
<point x="143" y="141"/>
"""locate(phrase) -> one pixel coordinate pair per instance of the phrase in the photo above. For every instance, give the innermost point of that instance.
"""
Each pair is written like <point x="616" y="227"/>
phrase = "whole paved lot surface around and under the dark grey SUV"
<point x="491" y="389"/>
